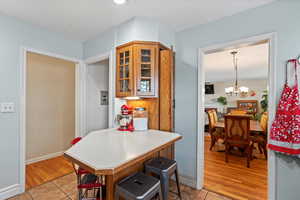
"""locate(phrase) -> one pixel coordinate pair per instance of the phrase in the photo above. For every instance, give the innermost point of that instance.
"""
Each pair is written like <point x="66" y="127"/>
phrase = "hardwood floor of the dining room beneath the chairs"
<point x="234" y="179"/>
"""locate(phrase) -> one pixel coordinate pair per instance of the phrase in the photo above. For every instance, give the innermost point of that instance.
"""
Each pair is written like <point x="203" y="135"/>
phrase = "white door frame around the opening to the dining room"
<point x="272" y="72"/>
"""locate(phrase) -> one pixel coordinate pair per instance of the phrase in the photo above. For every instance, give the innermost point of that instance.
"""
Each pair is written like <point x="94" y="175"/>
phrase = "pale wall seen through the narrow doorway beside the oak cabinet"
<point x="97" y="81"/>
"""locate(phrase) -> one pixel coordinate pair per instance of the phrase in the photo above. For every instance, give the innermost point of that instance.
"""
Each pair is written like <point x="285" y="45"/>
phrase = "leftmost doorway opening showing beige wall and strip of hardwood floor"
<point x="50" y="117"/>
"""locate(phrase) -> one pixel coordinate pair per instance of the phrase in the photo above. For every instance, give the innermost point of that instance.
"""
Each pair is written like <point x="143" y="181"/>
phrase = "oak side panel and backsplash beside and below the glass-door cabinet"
<point x="161" y="109"/>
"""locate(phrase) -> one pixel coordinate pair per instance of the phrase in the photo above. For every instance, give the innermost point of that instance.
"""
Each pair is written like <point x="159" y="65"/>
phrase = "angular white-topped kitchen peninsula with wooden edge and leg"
<point x="117" y="154"/>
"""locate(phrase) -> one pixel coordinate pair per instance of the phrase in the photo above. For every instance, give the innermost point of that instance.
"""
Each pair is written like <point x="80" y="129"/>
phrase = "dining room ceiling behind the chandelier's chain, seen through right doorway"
<point x="252" y="64"/>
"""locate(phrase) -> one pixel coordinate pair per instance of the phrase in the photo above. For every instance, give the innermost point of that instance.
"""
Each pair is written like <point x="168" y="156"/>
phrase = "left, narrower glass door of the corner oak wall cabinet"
<point x="124" y="72"/>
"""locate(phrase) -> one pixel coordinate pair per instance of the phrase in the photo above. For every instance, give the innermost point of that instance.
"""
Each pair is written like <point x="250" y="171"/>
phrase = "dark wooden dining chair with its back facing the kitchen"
<point x="237" y="134"/>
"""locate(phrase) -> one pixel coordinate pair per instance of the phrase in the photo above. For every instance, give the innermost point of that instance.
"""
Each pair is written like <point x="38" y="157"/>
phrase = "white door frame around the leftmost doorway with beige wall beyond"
<point x="79" y="109"/>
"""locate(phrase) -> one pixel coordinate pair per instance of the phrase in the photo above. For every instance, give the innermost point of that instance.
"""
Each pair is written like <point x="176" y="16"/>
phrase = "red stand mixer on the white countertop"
<point x="125" y="119"/>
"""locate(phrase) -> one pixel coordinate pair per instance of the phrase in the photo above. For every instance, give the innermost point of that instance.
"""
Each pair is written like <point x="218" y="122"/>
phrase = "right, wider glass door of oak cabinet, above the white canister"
<point x="145" y="70"/>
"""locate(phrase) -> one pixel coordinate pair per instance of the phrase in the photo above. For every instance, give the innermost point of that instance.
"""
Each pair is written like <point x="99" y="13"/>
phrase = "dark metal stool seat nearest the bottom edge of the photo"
<point x="138" y="187"/>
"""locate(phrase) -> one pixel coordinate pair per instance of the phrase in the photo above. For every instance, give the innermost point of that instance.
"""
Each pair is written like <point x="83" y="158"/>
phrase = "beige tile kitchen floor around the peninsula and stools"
<point x="64" y="188"/>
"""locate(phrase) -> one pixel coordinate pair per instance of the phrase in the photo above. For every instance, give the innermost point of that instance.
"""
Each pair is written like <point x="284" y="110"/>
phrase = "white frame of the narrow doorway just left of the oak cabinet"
<point x="111" y="86"/>
